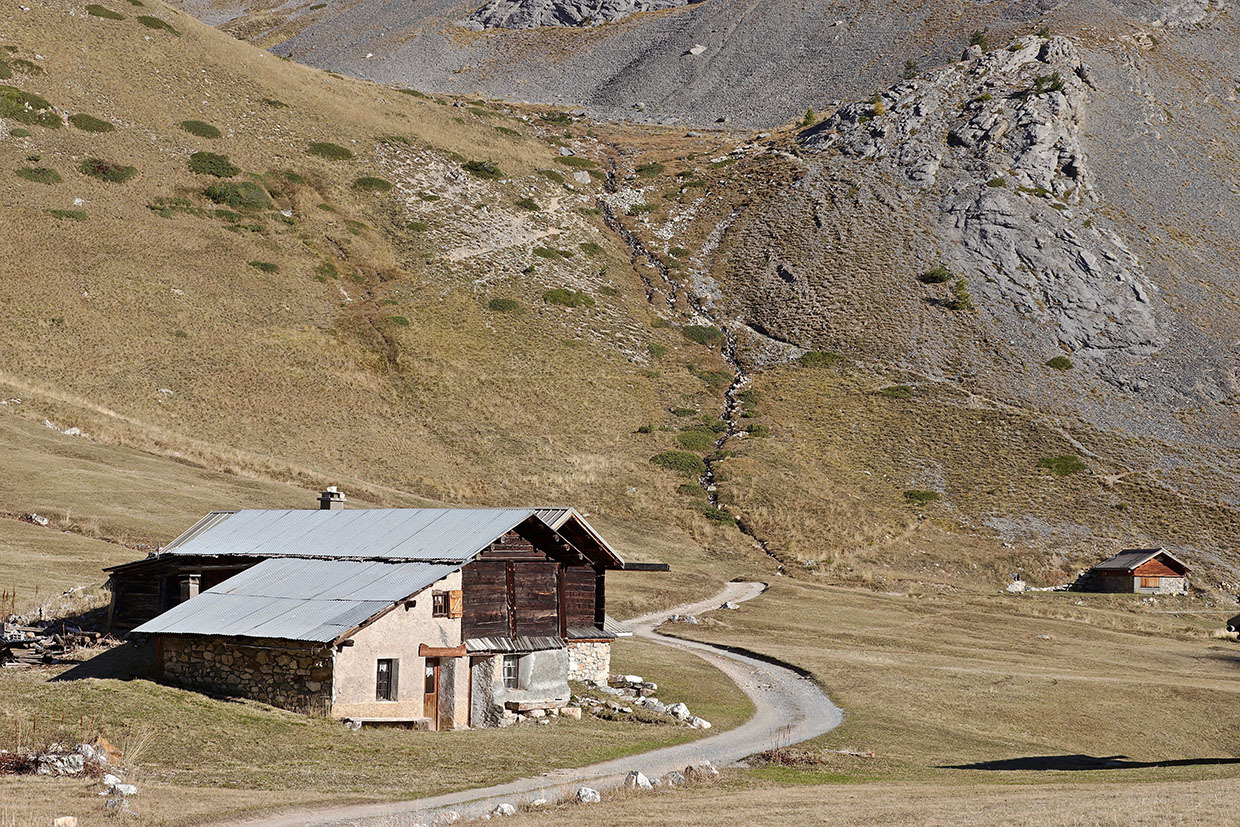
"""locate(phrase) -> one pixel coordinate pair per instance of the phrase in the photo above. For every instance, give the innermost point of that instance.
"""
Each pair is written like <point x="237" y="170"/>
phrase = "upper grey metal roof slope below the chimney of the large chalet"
<point x="376" y="534"/>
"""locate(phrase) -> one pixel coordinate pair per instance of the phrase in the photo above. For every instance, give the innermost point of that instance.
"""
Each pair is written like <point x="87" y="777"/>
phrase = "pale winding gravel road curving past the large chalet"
<point x="788" y="710"/>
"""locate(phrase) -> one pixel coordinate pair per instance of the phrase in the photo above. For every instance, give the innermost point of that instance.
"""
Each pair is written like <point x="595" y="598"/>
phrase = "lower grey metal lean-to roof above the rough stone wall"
<point x="298" y="599"/>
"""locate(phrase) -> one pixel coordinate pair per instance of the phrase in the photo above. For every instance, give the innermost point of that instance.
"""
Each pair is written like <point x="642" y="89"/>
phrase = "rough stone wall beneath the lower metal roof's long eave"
<point x="286" y="675"/>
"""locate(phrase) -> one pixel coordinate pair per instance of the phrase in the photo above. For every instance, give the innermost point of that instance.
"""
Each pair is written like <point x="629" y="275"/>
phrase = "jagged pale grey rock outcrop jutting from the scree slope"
<point x="995" y="142"/>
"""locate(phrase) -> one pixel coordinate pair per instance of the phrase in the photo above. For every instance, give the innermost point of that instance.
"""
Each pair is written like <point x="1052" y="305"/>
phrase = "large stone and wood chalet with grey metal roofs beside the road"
<point x="428" y="618"/>
